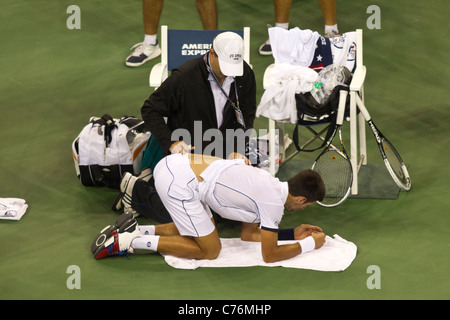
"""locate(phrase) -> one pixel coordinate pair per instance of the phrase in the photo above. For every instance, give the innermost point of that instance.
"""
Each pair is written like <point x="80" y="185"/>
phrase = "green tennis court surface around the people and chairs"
<point x="54" y="79"/>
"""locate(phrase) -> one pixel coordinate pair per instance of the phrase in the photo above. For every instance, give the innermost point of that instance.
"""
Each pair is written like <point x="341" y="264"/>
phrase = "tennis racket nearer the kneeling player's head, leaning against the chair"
<point x="334" y="164"/>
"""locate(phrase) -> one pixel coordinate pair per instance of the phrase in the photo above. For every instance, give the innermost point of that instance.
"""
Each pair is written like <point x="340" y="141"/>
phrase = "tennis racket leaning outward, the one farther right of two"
<point x="392" y="160"/>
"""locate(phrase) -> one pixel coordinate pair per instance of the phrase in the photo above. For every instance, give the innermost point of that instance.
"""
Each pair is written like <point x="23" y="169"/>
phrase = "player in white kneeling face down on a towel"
<point x="190" y="186"/>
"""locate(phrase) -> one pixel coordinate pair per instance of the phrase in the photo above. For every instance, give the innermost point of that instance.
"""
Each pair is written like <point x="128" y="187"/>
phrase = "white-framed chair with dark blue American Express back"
<point x="179" y="46"/>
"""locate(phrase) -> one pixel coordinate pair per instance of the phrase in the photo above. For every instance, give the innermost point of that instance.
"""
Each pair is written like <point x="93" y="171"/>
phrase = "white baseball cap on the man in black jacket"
<point x="229" y="47"/>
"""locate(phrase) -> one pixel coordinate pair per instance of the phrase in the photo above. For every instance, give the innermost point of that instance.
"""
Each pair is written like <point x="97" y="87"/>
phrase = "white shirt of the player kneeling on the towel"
<point x="244" y="193"/>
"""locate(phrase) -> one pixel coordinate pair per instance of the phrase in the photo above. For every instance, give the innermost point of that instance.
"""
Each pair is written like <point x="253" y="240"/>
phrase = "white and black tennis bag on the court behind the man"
<point x="107" y="148"/>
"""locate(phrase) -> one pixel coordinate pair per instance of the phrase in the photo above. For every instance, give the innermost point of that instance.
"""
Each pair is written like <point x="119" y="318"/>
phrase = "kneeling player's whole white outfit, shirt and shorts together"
<point x="232" y="189"/>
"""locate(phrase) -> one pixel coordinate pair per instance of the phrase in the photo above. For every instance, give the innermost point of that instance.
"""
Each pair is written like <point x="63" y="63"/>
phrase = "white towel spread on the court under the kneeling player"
<point x="335" y="255"/>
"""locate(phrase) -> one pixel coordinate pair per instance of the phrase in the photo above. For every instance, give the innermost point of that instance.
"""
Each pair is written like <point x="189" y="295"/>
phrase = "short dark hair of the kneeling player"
<point x="309" y="184"/>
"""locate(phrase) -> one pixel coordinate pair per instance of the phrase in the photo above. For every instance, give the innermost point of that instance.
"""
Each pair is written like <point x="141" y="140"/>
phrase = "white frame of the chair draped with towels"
<point x="357" y="122"/>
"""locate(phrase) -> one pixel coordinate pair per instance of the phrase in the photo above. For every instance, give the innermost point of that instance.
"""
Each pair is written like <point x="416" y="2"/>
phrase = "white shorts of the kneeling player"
<point x="177" y="186"/>
